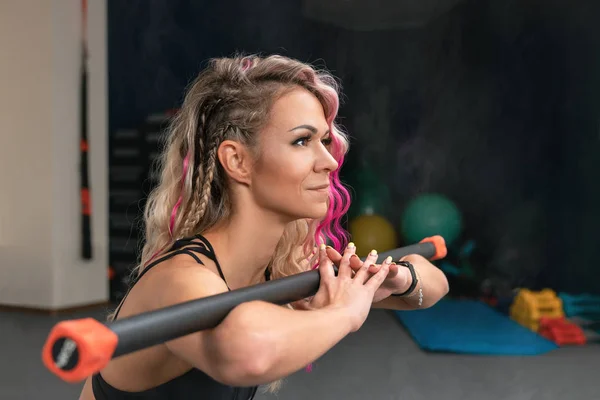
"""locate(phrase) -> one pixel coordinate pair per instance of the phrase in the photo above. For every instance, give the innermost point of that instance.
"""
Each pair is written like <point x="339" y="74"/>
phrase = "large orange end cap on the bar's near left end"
<point x="93" y="341"/>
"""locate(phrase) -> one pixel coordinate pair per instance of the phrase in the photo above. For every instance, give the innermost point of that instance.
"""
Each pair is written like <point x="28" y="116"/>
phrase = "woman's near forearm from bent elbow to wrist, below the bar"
<point x="276" y="342"/>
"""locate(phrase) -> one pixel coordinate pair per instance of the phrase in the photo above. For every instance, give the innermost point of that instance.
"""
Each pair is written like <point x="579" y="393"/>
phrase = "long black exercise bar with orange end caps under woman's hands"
<point x="77" y="349"/>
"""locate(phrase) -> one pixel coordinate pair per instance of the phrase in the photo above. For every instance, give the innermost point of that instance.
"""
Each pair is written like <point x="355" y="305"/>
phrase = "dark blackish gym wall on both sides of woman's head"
<point x="493" y="104"/>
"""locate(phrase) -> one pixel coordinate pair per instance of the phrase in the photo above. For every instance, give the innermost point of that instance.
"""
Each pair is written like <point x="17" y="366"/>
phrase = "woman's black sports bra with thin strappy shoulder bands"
<point x="193" y="384"/>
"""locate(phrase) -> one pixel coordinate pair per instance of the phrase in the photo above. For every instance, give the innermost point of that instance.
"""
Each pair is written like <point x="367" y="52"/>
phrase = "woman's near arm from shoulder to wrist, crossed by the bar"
<point x="257" y="342"/>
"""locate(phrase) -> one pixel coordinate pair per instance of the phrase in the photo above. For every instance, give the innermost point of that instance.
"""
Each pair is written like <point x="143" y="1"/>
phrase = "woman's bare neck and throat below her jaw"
<point x="245" y="245"/>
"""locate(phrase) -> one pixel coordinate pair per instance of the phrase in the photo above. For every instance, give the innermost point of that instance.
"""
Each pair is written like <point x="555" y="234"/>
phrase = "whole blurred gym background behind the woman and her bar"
<point x="475" y="119"/>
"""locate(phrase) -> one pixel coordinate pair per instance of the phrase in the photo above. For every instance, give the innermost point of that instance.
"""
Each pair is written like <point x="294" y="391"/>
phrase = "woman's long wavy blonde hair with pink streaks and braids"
<point x="231" y="100"/>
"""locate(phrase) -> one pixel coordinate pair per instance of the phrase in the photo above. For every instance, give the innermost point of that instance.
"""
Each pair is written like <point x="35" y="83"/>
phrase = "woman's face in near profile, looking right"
<point x="291" y="175"/>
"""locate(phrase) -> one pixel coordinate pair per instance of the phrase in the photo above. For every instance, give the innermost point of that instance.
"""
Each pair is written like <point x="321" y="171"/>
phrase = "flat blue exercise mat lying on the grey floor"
<point x="471" y="327"/>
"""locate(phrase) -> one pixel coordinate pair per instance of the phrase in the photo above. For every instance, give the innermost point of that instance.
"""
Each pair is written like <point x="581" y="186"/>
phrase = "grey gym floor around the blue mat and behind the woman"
<point x="379" y="362"/>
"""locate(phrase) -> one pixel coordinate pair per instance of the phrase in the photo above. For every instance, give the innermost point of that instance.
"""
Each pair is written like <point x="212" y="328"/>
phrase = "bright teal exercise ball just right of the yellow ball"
<point x="428" y="215"/>
